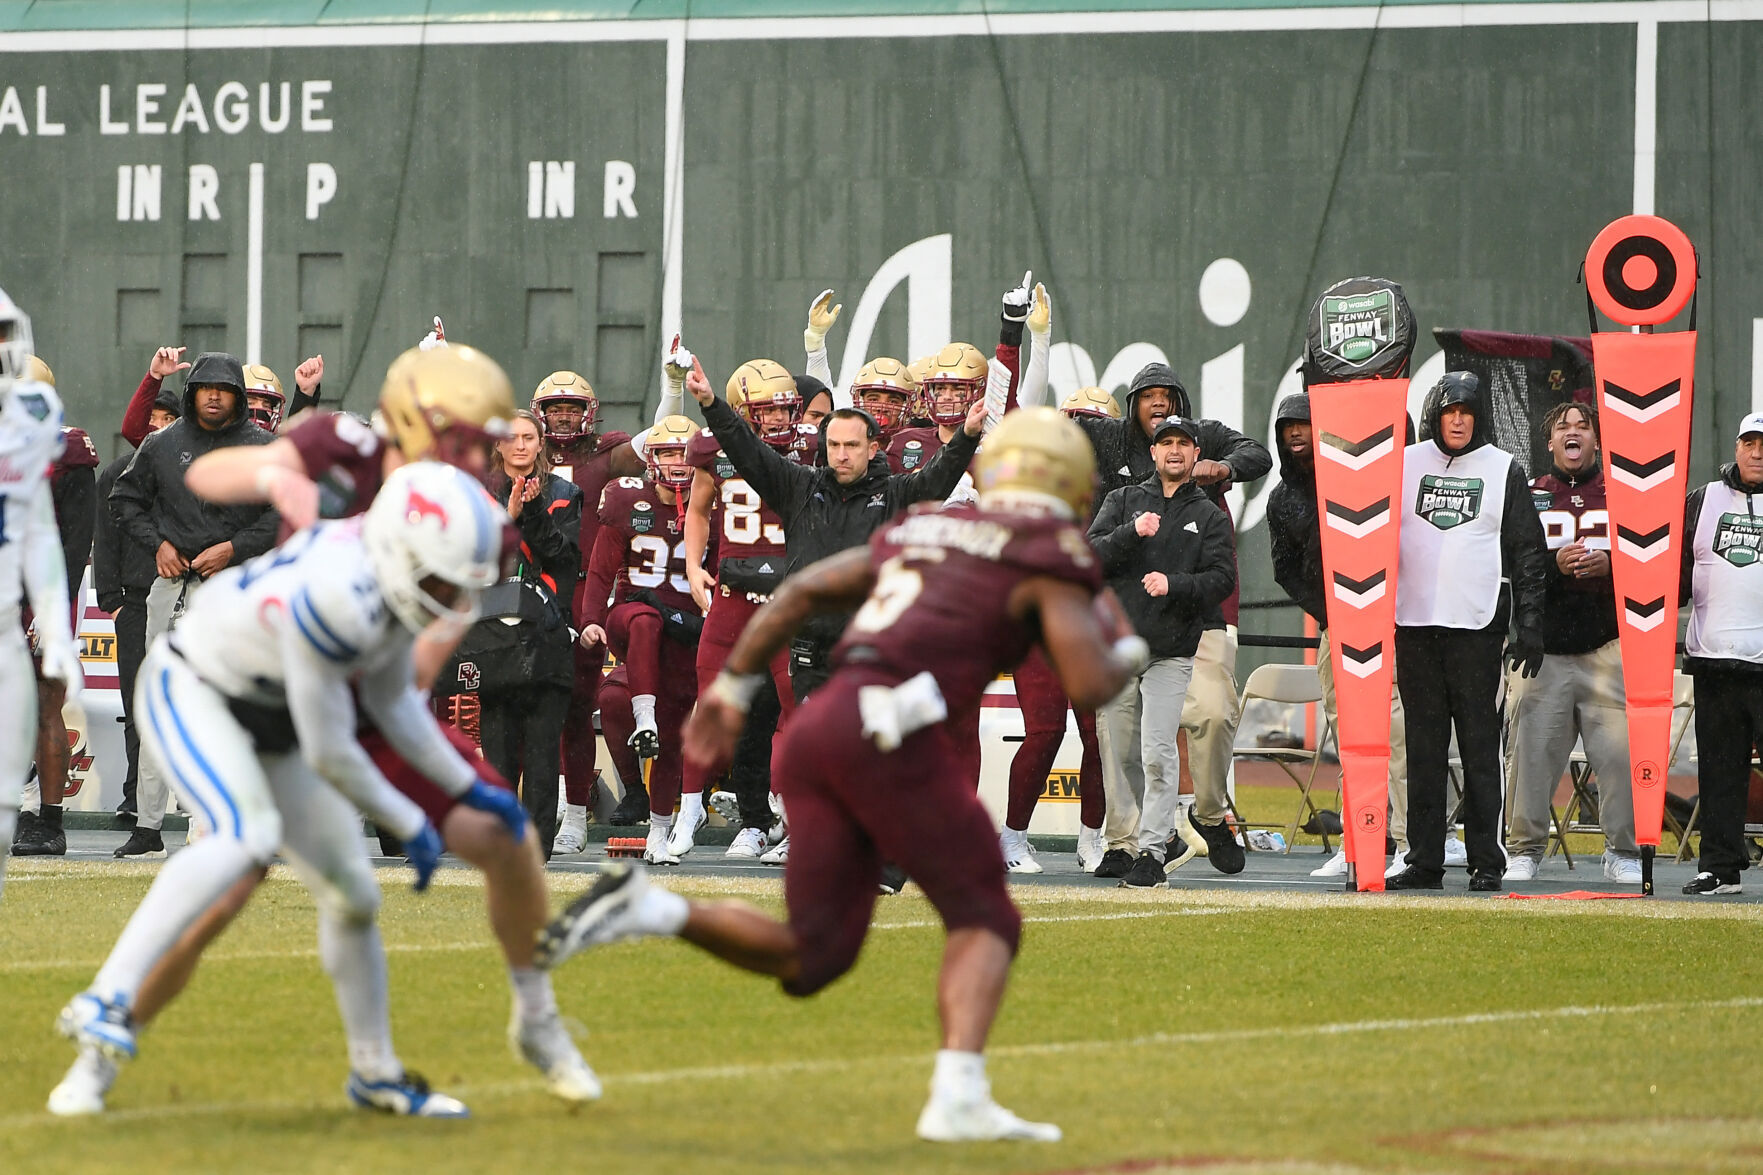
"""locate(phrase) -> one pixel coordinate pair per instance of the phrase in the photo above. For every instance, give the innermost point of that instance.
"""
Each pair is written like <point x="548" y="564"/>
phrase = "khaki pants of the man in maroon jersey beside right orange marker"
<point x="1575" y="698"/>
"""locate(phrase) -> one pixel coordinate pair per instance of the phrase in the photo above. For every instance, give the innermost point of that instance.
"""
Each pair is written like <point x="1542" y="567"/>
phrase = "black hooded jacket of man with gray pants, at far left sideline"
<point x="151" y="504"/>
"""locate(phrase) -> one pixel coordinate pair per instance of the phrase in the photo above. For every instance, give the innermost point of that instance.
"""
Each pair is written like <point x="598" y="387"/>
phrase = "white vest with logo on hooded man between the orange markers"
<point x="1452" y="509"/>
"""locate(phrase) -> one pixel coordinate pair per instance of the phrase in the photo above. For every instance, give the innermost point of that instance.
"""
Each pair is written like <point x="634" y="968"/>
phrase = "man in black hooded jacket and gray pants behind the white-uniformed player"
<point x="191" y="539"/>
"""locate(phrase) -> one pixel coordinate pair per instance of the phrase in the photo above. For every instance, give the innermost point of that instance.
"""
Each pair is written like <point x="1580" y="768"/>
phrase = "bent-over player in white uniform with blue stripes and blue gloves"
<point x="253" y="719"/>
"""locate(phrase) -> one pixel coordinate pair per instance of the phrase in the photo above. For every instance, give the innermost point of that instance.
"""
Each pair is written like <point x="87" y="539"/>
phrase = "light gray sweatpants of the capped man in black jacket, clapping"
<point x="1142" y="761"/>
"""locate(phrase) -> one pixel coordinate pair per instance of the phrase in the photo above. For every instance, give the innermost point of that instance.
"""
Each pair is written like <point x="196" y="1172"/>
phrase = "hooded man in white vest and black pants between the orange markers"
<point x="1468" y="530"/>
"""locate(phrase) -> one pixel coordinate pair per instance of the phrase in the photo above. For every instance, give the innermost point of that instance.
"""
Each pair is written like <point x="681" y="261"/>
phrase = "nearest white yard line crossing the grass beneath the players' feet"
<point x="840" y="1065"/>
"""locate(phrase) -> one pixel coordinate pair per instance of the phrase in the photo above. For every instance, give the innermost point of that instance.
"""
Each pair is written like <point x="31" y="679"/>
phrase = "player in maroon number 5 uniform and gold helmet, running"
<point x="868" y="763"/>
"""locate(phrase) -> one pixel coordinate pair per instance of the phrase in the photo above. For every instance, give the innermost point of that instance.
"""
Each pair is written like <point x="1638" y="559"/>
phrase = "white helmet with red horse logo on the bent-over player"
<point x="431" y="528"/>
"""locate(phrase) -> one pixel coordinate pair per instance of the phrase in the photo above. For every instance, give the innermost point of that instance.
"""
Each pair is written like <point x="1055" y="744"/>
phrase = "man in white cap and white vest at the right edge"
<point x="1723" y="652"/>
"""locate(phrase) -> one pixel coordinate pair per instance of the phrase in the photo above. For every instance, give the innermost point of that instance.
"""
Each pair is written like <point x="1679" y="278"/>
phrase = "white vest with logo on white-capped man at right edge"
<point x="1727" y="583"/>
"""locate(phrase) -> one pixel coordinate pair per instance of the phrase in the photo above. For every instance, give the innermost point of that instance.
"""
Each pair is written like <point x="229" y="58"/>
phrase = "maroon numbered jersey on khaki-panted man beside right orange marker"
<point x="1582" y="611"/>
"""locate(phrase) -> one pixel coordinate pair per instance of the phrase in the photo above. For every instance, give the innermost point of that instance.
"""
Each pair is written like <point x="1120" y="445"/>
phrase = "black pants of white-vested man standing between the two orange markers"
<point x="1452" y="678"/>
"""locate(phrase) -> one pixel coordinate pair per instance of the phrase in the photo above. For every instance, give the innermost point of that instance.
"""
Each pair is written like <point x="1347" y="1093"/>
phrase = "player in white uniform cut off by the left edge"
<point x="31" y="562"/>
